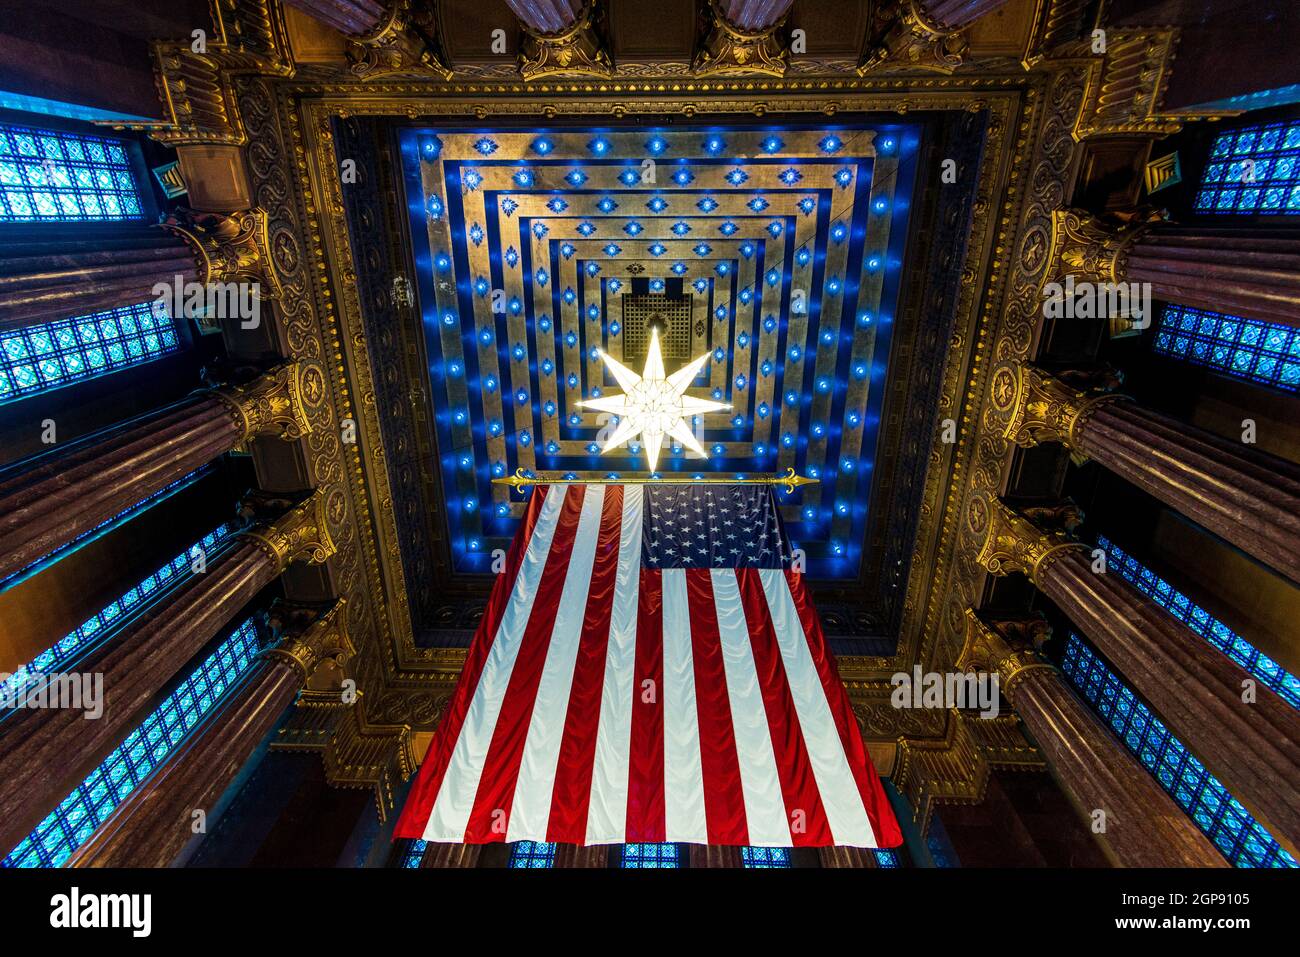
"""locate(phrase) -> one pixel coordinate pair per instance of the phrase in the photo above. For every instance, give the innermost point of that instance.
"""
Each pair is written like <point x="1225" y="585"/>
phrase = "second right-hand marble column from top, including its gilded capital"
<point x="1246" y="497"/>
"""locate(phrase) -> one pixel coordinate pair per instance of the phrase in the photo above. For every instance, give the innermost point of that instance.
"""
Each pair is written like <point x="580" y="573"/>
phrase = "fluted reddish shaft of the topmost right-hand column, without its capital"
<point x="1253" y="274"/>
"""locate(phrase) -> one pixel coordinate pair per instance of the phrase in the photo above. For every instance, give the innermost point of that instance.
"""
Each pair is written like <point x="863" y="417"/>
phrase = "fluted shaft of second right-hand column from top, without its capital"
<point x="1241" y="495"/>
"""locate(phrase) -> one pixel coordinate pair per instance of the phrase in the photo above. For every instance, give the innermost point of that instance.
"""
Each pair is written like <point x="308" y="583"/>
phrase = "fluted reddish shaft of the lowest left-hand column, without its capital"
<point x="155" y="822"/>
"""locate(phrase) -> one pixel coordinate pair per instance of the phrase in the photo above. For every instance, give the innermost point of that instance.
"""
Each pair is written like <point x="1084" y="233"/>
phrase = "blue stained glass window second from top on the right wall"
<point x="1263" y="353"/>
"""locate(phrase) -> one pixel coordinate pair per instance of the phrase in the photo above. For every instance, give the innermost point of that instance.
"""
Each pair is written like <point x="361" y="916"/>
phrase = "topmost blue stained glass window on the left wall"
<point x="54" y="176"/>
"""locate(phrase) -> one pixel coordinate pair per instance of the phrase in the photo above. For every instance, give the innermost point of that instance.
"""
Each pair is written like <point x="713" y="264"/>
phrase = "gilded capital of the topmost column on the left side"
<point x="229" y="248"/>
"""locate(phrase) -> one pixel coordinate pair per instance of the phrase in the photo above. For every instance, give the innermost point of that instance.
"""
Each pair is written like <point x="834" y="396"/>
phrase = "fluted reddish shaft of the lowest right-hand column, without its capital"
<point x="1143" y="826"/>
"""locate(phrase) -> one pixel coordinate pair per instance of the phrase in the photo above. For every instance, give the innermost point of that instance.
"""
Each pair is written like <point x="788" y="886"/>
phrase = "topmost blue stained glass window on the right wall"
<point x="1255" y="170"/>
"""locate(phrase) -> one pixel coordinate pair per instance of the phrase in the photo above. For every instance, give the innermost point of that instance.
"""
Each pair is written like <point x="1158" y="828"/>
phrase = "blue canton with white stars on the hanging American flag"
<point x="713" y="527"/>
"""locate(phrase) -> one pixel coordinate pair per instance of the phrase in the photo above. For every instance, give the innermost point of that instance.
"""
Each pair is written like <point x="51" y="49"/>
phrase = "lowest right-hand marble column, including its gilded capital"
<point x="1143" y="828"/>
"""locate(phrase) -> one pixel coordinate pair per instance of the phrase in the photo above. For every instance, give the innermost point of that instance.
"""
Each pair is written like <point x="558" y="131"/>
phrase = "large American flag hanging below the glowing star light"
<point x="651" y="669"/>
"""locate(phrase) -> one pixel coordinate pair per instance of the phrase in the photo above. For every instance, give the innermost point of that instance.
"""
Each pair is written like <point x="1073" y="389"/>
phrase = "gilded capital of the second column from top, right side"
<point x="1035" y="408"/>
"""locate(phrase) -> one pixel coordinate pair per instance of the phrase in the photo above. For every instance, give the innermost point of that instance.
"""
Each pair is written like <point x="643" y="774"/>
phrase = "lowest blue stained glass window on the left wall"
<point x="132" y="763"/>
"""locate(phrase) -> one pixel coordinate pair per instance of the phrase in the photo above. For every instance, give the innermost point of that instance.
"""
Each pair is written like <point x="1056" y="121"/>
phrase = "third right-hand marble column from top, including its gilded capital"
<point x="1250" y="742"/>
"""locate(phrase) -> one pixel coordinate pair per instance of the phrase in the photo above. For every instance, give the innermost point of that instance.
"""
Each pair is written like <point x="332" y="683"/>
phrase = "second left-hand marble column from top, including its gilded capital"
<point x="54" y="499"/>
